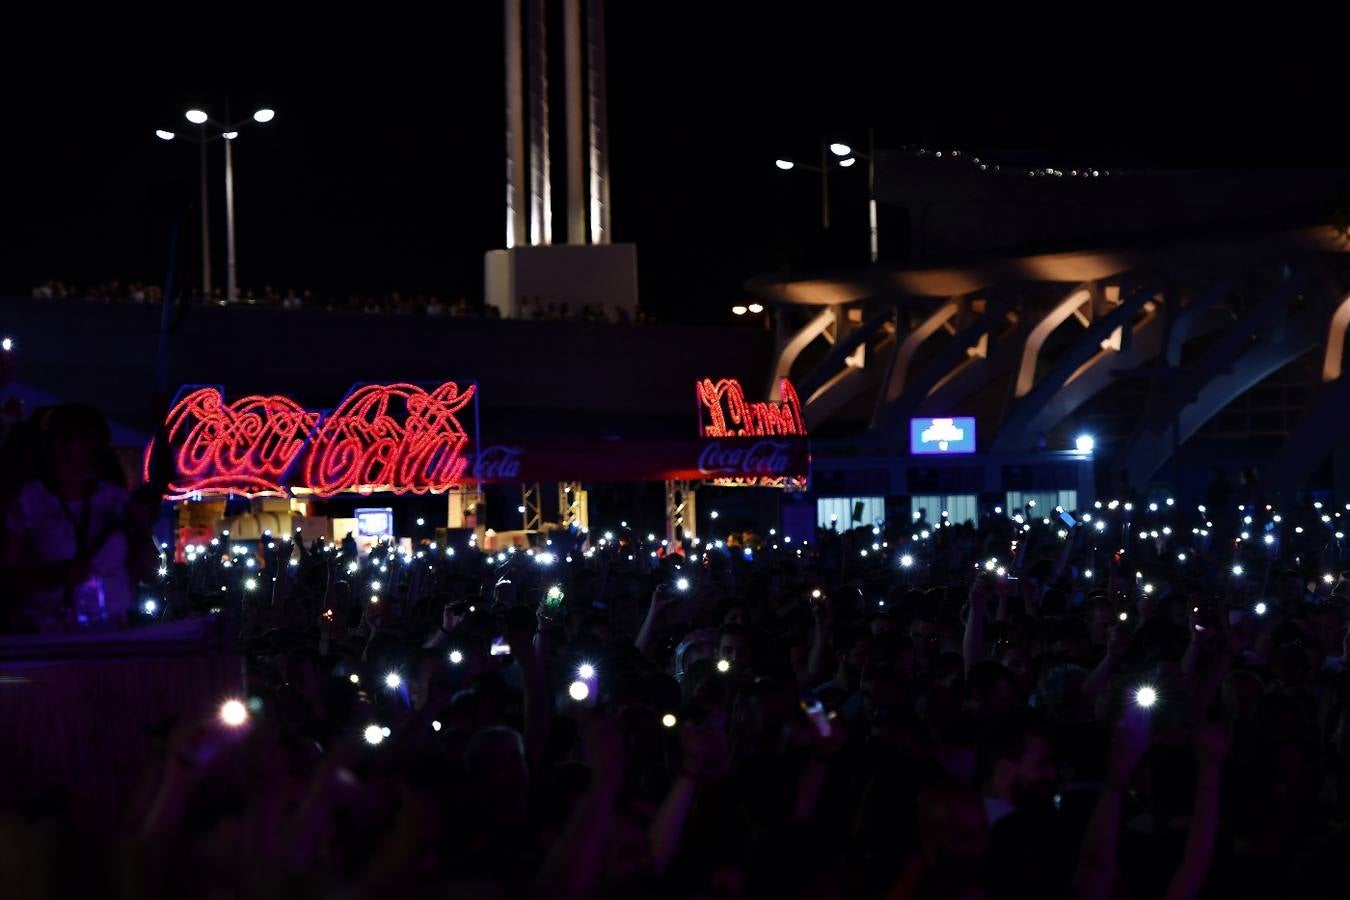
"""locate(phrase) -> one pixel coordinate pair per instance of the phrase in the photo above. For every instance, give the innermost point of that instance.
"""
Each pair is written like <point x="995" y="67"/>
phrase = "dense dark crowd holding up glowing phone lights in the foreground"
<point x="1135" y="700"/>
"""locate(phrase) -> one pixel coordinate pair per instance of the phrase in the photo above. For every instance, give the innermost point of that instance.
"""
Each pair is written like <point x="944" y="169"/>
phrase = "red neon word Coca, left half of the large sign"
<point x="245" y="447"/>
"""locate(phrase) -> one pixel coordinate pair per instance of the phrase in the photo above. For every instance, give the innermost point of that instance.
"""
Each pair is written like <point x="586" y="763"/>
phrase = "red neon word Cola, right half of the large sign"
<point x="392" y="438"/>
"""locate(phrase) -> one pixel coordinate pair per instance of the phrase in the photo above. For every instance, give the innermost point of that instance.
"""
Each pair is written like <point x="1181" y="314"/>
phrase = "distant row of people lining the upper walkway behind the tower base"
<point x="391" y="304"/>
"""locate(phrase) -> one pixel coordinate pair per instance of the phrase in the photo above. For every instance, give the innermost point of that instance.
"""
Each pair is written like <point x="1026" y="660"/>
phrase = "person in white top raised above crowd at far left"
<point x="74" y="547"/>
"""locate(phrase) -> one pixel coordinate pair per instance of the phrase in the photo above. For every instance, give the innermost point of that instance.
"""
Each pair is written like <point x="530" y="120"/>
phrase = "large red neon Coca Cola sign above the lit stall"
<point x="384" y="438"/>
